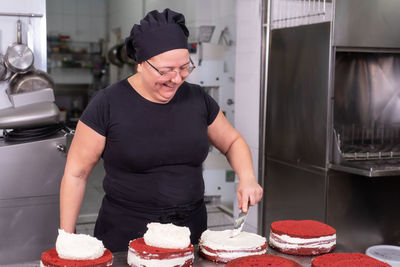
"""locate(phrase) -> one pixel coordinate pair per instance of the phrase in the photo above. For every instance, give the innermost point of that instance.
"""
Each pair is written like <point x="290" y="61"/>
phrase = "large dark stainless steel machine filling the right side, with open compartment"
<point x="332" y="118"/>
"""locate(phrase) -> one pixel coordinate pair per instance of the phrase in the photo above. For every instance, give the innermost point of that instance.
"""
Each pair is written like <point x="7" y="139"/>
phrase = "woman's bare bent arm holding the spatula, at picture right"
<point x="229" y="141"/>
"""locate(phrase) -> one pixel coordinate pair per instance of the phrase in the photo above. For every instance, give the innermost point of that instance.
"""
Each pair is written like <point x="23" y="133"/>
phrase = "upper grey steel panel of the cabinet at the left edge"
<point x="31" y="168"/>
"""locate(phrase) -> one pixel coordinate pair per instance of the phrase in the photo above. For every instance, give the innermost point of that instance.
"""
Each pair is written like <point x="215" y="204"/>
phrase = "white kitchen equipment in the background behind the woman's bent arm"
<point x="210" y="75"/>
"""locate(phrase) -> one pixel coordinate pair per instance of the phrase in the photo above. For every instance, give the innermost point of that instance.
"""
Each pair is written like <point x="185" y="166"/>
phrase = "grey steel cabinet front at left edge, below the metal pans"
<point x="30" y="178"/>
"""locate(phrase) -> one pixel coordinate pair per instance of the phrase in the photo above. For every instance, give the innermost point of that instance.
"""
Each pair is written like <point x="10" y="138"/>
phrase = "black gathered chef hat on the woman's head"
<point x="157" y="33"/>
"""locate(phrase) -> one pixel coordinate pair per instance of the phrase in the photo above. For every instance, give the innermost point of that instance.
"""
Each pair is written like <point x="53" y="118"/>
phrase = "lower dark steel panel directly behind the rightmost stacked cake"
<point x="291" y="192"/>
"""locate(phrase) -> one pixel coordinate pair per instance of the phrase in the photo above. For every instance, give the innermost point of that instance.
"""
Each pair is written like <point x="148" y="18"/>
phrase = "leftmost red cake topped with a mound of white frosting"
<point x="76" y="250"/>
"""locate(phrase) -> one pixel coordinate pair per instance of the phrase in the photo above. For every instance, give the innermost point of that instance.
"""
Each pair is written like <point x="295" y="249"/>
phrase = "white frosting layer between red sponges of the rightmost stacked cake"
<point x="288" y="242"/>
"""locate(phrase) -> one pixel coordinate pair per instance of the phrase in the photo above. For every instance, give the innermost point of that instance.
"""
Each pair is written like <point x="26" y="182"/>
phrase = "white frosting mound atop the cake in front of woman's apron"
<point x="167" y="236"/>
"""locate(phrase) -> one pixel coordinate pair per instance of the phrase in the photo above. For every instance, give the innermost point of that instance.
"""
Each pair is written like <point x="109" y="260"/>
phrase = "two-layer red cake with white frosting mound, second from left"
<point x="163" y="245"/>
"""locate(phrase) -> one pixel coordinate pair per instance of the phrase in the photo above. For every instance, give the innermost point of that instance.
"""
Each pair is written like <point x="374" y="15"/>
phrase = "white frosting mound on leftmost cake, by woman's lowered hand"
<point x="78" y="246"/>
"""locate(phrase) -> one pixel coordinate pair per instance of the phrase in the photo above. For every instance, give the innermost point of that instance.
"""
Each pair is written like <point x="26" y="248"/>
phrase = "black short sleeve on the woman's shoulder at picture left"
<point x="97" y="113"/>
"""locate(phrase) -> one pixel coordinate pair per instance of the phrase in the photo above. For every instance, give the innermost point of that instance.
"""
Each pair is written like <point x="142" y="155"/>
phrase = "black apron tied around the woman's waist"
<point x="119" y="221"/>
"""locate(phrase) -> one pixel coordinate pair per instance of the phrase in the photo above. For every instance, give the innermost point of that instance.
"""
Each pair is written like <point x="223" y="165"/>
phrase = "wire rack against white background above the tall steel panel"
<point x="292" y="13"/>
